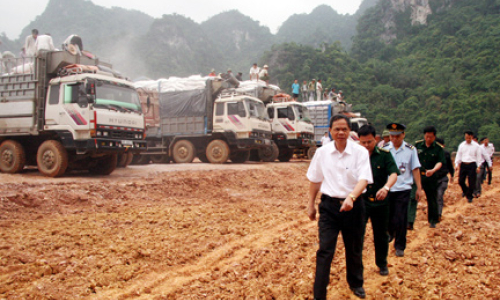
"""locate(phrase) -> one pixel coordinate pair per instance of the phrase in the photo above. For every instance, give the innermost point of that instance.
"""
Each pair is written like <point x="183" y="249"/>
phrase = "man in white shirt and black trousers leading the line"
<point x="341" y="171"/>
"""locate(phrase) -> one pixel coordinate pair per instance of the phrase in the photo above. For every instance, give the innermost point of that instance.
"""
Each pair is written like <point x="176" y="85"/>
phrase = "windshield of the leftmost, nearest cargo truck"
<point x="117" y="96"/>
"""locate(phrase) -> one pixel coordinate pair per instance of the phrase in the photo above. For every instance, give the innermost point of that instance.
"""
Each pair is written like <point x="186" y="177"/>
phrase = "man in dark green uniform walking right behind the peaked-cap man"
<point x="431" y="156"/>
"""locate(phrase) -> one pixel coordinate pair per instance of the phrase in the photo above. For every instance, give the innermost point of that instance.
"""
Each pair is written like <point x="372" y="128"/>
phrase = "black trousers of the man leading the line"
<point x="331" y="222"/>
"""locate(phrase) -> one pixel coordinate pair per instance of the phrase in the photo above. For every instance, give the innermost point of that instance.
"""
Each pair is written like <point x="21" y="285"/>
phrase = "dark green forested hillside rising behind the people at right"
<point x="445" y="73"/>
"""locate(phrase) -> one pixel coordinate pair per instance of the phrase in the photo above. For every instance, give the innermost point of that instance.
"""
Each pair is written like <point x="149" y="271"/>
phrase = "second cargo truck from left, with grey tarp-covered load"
<point x="202" y="122"/>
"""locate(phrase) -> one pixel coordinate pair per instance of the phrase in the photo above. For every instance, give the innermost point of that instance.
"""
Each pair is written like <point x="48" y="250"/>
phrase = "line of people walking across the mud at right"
<point x="382" y="180"/>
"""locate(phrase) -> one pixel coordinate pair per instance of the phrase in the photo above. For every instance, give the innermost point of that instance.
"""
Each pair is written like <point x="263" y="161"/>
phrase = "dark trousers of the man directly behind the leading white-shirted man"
<point x="379" y="216"/>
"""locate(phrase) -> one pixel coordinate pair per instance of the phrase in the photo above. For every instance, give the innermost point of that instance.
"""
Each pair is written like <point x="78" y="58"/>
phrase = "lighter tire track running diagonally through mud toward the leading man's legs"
<point x="167" y="283"/>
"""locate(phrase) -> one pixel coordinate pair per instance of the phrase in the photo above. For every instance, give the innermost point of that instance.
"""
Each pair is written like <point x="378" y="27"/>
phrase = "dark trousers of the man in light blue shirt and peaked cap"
<point x="398" y="217"/>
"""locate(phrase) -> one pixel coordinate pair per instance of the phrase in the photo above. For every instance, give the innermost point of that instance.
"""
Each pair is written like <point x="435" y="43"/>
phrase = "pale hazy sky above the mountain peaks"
<point x="16" y="14"/>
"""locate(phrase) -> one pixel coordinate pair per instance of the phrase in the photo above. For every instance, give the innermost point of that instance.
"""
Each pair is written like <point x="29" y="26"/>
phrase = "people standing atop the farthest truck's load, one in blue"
<point x="314" y="91"/>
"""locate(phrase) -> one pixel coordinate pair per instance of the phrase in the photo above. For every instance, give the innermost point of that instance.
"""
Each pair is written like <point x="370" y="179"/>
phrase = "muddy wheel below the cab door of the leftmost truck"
<point x="52" y="158"/>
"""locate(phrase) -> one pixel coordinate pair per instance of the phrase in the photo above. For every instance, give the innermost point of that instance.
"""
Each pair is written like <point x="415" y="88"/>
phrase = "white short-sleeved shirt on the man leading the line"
<point x="340" y="172"/>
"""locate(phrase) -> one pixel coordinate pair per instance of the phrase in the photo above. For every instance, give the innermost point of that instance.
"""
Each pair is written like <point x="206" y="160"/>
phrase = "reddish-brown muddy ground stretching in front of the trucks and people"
<point x="233" y="231"/>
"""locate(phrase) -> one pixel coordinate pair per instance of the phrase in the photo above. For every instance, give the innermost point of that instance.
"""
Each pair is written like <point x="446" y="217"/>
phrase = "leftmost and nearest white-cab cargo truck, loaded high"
<point x="60" y="112"/>
